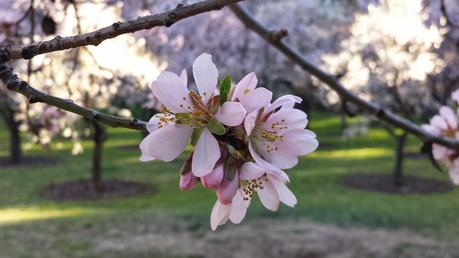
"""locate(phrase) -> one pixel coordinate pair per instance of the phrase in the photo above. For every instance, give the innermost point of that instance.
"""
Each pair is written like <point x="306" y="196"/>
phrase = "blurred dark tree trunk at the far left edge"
<point x="15" y="155"/>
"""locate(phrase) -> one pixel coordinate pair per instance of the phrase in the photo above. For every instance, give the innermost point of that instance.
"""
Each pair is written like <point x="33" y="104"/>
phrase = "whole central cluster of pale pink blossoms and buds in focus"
<point x="241" y="138"/>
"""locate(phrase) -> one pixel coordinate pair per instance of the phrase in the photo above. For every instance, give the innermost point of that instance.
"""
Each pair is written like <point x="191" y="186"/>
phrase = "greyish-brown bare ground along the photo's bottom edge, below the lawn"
<point x="268" y="238"/>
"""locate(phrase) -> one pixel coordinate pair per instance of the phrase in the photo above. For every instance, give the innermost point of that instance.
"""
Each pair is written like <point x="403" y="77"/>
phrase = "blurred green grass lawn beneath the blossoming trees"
<point x="31" y="226"/>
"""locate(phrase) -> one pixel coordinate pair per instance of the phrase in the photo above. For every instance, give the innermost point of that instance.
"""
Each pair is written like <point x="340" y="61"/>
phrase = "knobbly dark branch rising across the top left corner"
<point x="118" y="28"/>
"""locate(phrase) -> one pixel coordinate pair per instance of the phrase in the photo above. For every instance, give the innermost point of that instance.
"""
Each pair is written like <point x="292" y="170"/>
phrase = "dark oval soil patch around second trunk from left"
<point x="85" y="191"/>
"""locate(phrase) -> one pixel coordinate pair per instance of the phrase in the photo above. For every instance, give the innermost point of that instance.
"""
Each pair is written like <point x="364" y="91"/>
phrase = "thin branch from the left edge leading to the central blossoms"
<point x="12" y="82"/>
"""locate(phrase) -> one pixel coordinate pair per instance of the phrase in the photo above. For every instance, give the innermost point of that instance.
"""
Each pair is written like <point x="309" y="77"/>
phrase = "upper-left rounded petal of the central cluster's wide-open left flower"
<point x="170" y="90"/>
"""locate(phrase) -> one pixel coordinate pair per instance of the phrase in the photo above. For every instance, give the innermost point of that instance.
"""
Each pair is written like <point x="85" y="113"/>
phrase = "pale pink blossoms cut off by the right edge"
<point x="446" y="123"/>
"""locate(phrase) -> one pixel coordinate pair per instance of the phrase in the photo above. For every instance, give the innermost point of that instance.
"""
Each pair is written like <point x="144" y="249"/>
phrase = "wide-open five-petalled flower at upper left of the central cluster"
<point x="185" y="112"/>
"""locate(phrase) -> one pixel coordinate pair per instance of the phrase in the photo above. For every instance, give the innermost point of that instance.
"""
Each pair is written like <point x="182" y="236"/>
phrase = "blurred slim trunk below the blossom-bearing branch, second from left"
<point x="99" y="136"/>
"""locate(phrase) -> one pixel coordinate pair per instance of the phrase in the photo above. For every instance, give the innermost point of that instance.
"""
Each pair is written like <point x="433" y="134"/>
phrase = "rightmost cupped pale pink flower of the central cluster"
<point x="277" y="132"/>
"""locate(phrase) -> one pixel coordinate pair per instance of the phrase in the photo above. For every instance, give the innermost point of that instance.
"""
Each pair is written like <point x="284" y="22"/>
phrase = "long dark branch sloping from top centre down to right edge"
<point x="293" y="55"/>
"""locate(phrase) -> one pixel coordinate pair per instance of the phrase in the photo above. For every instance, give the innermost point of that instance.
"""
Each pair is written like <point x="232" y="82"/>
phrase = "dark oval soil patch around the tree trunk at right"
<point x="385" y="184"/>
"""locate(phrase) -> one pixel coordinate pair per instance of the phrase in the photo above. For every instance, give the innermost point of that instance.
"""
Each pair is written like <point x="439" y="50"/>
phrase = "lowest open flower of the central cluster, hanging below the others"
<point x="270" y="188"/>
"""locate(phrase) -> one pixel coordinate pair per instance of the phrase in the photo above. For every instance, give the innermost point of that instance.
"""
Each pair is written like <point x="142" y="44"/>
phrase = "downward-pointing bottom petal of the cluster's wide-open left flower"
<point x="206" y="154"/>
